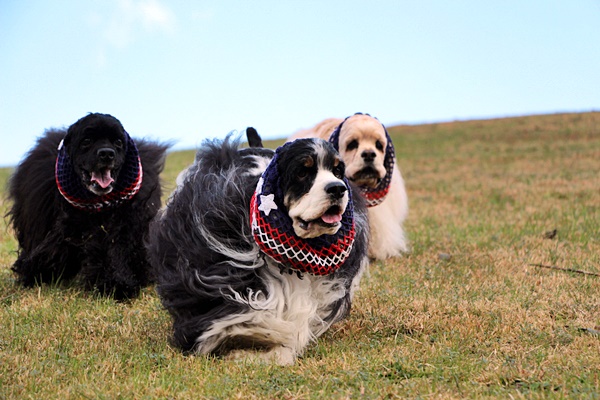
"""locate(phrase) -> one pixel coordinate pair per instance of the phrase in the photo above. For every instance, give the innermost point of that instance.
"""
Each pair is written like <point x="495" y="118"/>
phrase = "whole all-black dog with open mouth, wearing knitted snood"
<point x="82" y="201"/>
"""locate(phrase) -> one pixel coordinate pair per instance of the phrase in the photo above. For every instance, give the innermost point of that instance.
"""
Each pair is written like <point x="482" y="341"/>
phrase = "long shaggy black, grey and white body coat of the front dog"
<point x="224" y="295"/>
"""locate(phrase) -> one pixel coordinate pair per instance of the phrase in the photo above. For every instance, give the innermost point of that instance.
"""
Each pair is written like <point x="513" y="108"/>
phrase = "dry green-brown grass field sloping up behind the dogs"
<point x="464" y="315"/>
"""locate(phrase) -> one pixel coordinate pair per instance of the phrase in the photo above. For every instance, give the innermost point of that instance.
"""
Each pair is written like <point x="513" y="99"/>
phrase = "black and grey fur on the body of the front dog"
<point x="211" y="209"/>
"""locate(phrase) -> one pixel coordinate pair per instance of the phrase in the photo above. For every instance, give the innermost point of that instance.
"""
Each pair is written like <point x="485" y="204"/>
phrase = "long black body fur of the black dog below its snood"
<point x="58" y="242"/>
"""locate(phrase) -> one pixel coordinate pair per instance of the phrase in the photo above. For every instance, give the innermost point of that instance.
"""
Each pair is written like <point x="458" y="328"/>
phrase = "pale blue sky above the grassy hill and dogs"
<point x="189" y="70"/>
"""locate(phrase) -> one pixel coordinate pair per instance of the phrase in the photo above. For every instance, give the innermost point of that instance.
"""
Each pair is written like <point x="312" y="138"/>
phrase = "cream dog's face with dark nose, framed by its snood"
<point x="362" y="145"/>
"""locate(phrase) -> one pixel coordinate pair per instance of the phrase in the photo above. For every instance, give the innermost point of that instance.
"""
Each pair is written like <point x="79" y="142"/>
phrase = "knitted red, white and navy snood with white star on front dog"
<point x="273" y="231"/>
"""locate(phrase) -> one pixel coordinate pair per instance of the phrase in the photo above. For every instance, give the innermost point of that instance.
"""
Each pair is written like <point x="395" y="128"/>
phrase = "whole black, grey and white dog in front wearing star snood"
<point x="259" y="252"/>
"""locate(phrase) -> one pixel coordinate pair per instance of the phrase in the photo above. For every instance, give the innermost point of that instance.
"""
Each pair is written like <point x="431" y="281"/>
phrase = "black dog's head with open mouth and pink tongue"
<point x="96" y="145"/>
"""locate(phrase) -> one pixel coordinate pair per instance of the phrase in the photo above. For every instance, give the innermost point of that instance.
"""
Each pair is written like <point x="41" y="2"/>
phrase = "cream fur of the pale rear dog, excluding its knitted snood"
<point x="385" y="220"/>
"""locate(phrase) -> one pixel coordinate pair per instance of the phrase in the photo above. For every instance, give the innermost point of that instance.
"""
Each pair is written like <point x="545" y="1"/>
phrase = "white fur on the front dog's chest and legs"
<point x="292" y="315"/>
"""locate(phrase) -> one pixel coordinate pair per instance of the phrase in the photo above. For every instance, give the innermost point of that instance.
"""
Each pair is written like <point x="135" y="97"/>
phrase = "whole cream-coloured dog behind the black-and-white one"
<point x="368" y="151"/>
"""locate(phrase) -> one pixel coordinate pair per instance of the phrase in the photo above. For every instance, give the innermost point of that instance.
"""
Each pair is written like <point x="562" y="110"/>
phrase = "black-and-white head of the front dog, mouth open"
<point x="311" y="179"/>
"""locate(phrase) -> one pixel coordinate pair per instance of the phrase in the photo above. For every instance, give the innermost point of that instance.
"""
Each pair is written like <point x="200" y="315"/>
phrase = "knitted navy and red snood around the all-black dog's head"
<point x="127" y="184"/>
